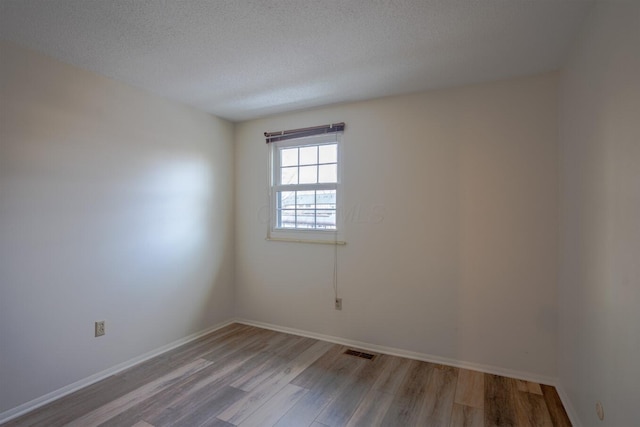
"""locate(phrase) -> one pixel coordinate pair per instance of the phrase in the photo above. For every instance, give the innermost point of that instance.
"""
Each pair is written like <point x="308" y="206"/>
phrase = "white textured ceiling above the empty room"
<point x="242" y="59"/>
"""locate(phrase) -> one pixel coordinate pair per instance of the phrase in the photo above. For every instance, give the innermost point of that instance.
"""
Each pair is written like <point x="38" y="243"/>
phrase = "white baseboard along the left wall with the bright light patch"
<point x="61" y="392"/>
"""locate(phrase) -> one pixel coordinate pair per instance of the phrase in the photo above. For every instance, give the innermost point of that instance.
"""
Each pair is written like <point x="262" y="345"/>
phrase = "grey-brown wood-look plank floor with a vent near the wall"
<point x="246" y="376"/>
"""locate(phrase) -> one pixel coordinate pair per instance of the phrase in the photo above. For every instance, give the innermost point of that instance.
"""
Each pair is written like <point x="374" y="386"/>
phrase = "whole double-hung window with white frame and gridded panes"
<point x="305" y="188"/>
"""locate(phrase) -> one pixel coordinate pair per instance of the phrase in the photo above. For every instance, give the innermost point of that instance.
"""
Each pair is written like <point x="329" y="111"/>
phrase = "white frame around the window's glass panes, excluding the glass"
<point x="305" y="235"/>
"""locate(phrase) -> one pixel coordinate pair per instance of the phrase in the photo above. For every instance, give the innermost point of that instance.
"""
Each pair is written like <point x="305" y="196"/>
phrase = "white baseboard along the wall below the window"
<point x="527" y="376"/>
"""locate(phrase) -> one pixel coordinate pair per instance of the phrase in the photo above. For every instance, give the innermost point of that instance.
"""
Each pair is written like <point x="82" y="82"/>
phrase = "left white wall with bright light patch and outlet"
<point x="114" y="205"/>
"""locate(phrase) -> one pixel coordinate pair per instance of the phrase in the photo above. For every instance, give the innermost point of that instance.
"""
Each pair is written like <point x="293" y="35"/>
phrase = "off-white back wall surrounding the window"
<point x="452" y="219"/>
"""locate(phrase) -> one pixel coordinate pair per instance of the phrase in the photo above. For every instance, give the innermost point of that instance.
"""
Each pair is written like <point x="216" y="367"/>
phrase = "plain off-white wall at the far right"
<point x="599" y="333"/>
